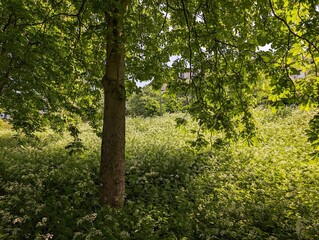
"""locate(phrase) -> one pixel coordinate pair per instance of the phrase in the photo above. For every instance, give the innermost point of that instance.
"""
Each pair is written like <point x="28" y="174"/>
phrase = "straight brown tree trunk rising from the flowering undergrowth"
<point x="112" y="168"/>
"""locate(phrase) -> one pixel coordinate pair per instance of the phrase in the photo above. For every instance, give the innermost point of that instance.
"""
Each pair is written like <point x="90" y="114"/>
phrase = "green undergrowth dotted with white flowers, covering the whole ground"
<point x="266" y="191"/>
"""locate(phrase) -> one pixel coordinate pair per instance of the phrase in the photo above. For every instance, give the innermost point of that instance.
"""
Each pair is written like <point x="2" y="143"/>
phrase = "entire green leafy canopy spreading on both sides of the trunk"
<point x="52" y="57"/>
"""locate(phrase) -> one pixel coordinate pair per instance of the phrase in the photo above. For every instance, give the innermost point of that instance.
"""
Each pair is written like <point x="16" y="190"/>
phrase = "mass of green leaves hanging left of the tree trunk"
<point x="47" y="67"/>
